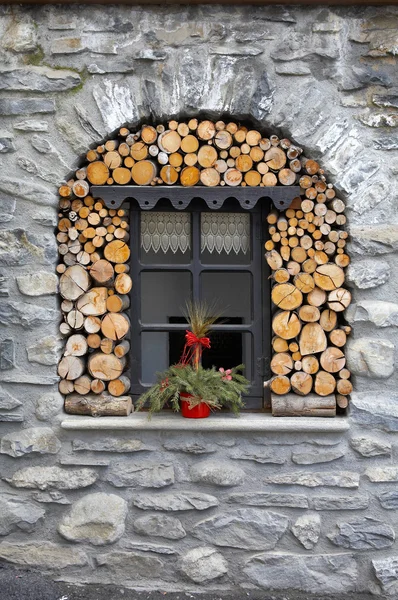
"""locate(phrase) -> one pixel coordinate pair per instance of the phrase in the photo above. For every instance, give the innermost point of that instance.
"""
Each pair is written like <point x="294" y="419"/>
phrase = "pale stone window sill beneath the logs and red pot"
<point x="216" y="422"/>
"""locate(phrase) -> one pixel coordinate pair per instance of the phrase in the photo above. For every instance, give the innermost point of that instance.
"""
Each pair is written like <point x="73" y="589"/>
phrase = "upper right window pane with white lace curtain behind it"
<point x="225" y="238"/>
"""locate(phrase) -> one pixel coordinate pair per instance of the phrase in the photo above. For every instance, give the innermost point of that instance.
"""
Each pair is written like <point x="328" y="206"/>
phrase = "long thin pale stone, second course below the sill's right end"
<point x="344" y="479"/>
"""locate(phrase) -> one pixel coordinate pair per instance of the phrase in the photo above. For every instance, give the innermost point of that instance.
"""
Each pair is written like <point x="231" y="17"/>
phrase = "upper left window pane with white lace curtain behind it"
<point x="165" y="237"/>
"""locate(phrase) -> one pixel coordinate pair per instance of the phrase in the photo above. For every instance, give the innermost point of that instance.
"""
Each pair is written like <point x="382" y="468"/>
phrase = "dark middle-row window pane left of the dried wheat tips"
<point x="164" y="295"/>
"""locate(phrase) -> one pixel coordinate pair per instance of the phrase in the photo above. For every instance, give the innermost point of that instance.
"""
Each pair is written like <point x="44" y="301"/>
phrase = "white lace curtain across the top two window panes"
<point x="220" y="232"/>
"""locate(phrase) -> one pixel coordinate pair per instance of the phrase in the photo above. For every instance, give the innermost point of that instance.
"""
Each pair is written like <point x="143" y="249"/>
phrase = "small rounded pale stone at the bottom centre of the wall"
<point x="203" y="564"/>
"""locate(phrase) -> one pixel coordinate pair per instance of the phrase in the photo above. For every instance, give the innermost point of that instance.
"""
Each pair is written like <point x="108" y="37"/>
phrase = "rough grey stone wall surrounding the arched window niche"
<point x="179" y="511"/>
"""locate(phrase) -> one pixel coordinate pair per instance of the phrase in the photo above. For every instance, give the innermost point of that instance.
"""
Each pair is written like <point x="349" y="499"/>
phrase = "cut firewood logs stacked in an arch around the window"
<point x="305" y="250"/>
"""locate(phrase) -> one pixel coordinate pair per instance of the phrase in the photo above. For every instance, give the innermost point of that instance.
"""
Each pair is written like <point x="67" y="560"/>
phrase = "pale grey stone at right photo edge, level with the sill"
<point x="375" y="410"/>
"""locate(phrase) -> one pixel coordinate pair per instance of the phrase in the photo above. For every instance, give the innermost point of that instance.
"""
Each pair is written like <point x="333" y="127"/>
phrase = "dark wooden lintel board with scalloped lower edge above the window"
<point x="180" y="197"/>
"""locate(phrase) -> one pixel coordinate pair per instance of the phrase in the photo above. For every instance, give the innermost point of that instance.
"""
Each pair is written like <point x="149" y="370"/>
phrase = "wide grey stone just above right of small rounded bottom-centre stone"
<point x="245" y="528"/>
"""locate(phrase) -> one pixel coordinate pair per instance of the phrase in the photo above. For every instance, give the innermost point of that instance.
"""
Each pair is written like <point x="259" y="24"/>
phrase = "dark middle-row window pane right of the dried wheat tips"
<point x="231" y="293"/>
